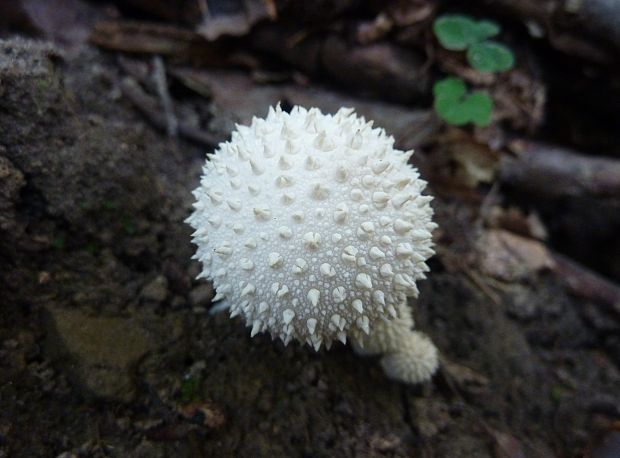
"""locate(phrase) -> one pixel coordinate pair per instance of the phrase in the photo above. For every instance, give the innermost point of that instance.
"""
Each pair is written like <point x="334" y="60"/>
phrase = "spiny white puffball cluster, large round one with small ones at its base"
<point x="314" y="228"/>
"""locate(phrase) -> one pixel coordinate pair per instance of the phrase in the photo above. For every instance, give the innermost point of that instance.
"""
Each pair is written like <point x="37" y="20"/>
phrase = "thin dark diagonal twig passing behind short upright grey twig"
<point x="149" y="108"/>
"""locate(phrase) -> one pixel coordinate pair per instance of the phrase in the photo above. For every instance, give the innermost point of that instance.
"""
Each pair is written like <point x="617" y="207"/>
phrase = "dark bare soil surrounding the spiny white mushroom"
<point x="107" y="349"/>
